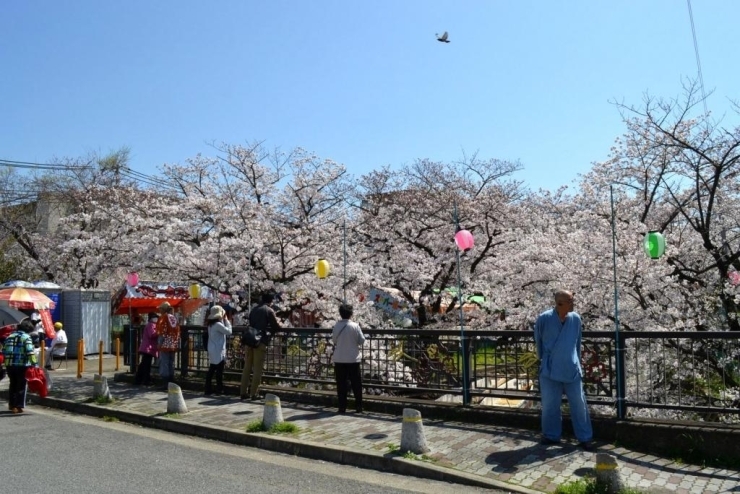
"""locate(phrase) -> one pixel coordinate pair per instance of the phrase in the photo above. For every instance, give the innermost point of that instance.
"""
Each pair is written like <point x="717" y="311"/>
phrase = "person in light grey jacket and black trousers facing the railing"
<point x="348" y="339"/>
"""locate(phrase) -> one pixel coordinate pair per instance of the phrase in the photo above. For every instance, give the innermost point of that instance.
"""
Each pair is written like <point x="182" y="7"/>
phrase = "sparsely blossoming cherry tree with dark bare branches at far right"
<point x="685" y="171"/>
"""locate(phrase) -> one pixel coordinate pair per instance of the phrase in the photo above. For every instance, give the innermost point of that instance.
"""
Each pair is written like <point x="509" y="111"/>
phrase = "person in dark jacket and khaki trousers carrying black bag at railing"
<point x="262" y="323"/>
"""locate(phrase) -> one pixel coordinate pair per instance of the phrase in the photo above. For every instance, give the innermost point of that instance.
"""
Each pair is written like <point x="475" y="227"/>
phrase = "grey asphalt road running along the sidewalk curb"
<point x="46" y="450"/>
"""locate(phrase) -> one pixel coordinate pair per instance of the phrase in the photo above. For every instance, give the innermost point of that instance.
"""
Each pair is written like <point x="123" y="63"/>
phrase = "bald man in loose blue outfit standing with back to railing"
<point x="557" y="334"/>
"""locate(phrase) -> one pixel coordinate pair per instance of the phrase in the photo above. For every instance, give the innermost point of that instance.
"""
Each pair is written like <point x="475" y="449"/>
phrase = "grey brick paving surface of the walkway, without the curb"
<point x="486" y="451"/>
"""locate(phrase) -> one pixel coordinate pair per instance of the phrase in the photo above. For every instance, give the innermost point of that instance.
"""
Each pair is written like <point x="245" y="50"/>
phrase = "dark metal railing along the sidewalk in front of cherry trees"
<point x="690" y="373"/>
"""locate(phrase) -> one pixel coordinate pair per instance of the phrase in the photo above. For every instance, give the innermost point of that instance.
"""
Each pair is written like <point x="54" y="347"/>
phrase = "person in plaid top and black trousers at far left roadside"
<point x="19" y="355"/>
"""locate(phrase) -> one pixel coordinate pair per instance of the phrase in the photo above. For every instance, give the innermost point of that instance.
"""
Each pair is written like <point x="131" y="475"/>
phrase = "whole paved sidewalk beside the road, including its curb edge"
<point x="500" y="458"/>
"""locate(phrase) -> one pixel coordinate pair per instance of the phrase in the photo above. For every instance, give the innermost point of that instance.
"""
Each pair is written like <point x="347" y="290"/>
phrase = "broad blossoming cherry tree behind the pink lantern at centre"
<point x="406" y="227"/>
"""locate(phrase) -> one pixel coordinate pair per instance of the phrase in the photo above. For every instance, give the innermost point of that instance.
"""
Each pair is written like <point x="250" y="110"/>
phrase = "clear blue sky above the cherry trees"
<point x="363" y="83"/>
